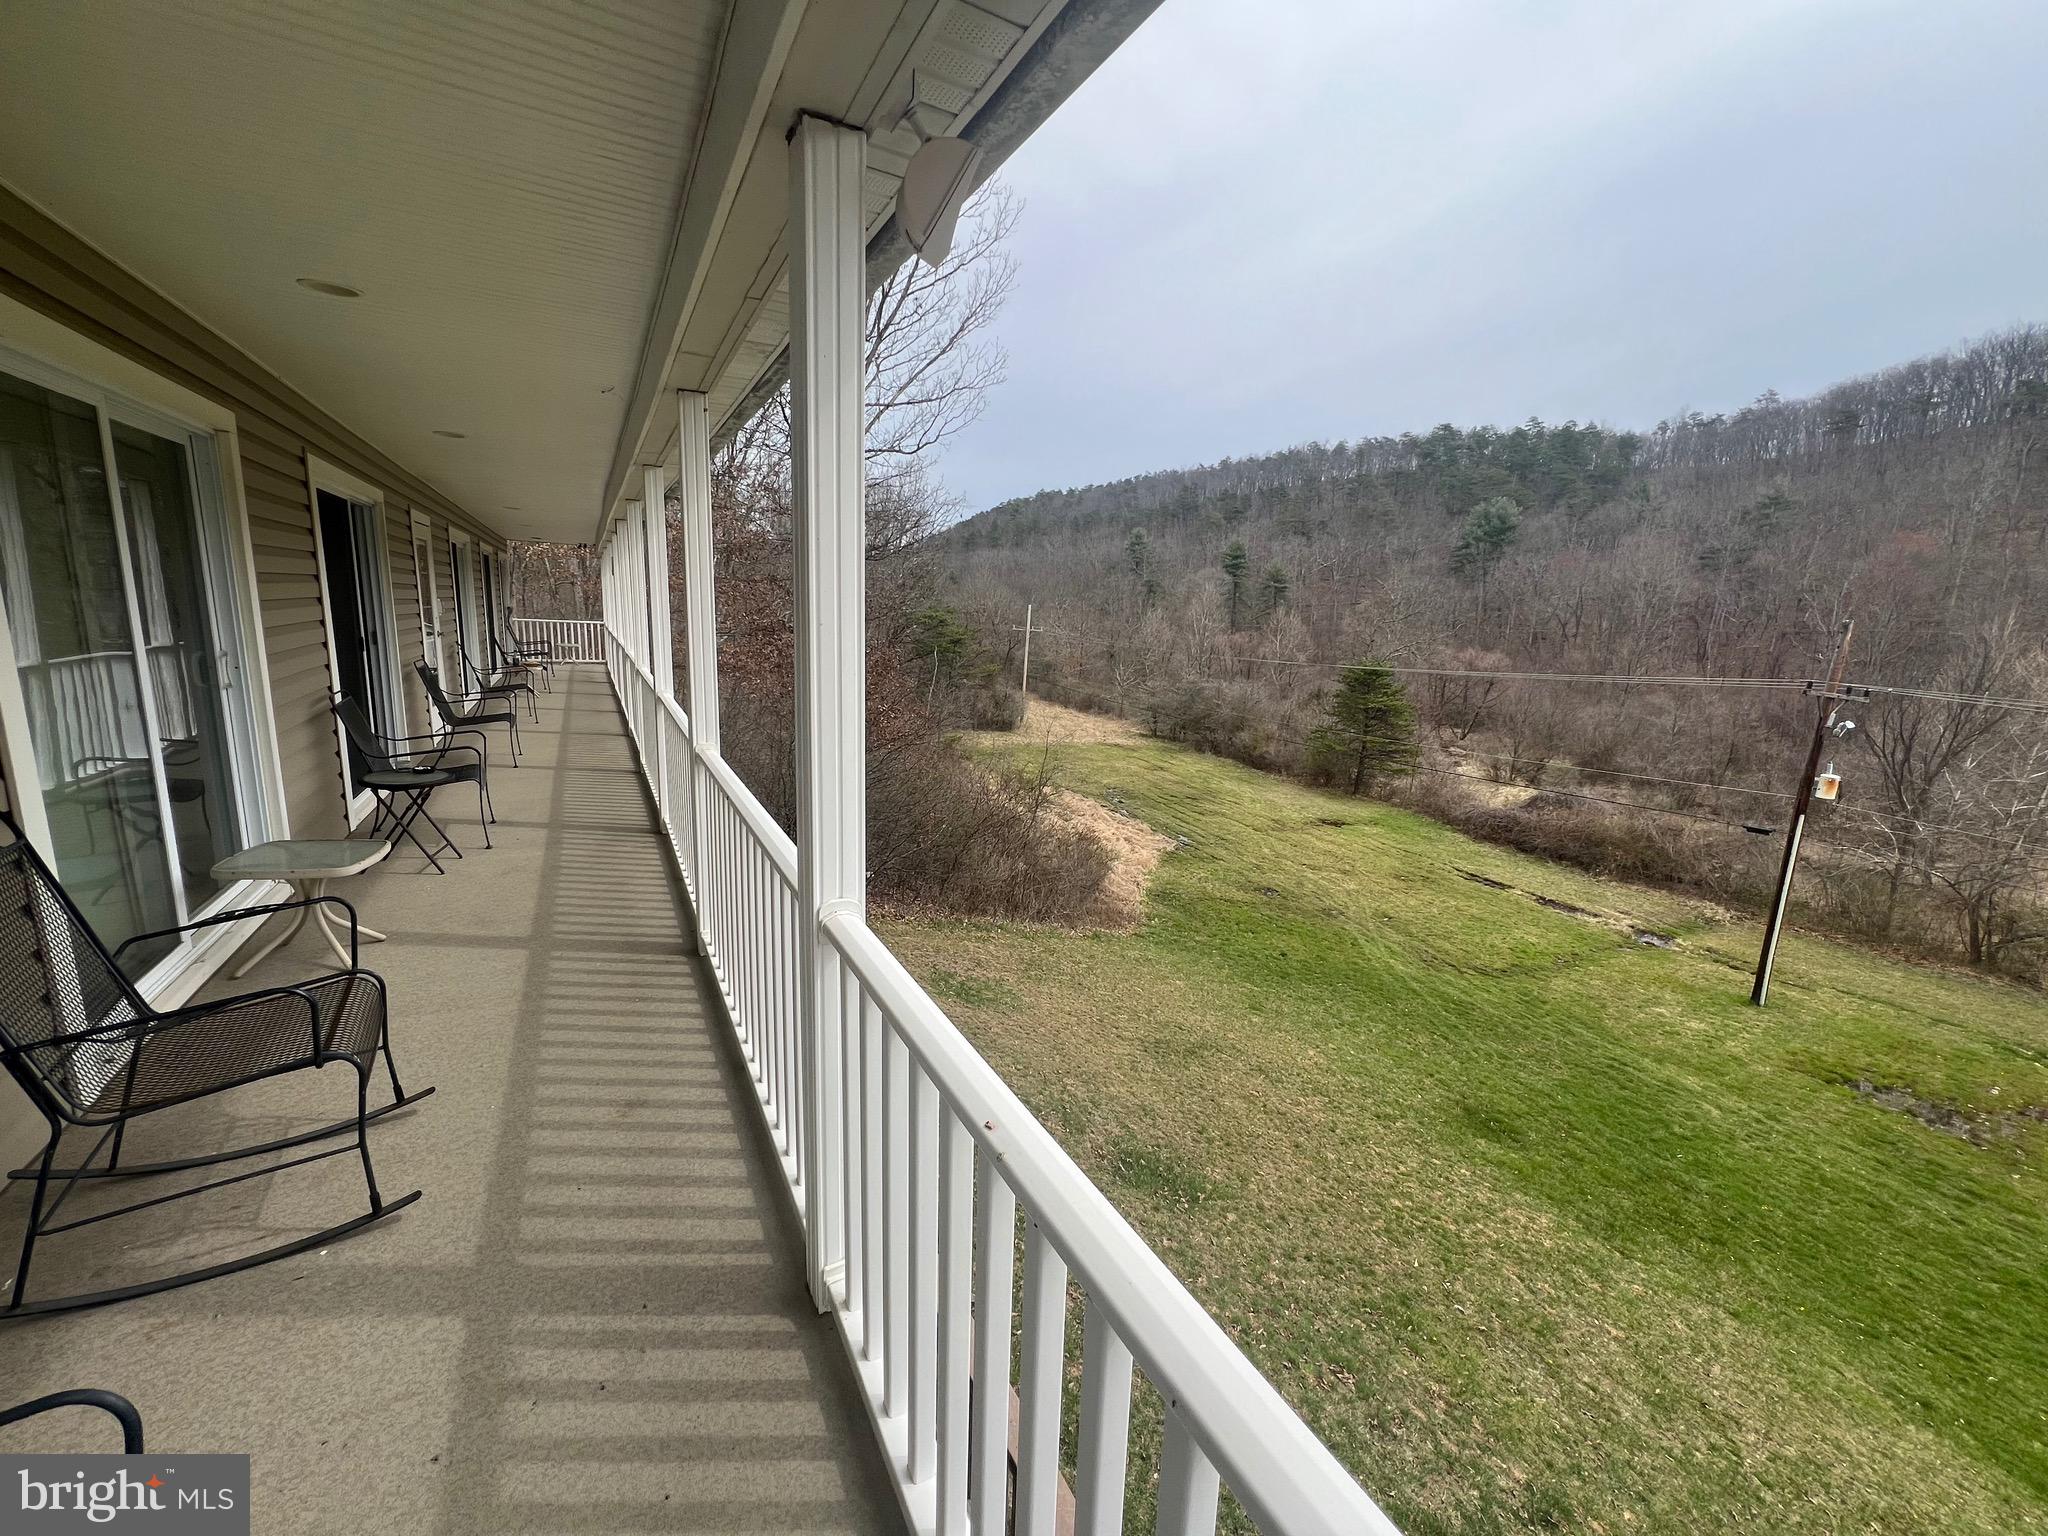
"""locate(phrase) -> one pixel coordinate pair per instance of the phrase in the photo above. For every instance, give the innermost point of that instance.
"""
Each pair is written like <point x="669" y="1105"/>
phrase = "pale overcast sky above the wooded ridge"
<point x="1263" y="224"/>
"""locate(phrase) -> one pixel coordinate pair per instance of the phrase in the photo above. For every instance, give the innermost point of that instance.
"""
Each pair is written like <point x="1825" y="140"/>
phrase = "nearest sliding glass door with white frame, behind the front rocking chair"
<point x="126" y="630"/>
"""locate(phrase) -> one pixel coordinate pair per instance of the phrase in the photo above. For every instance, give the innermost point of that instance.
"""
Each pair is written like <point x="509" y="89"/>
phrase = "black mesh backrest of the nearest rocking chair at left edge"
<point x="56" y="980"/>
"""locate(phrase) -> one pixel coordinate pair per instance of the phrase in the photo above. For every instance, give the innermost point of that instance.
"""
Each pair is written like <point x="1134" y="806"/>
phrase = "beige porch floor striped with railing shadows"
<point x="595" y="1320"/>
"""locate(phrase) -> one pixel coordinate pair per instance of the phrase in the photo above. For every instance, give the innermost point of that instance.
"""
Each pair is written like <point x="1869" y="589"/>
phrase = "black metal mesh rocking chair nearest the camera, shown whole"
<point x="91" y="1054"/>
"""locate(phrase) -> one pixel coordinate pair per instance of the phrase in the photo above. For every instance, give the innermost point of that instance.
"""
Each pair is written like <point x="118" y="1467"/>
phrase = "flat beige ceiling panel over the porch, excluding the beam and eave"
<point x="499" y="181"/>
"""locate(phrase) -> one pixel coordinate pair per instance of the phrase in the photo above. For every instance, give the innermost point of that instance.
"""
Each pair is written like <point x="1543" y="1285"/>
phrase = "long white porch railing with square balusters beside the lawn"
<point x="937" y="1162"/>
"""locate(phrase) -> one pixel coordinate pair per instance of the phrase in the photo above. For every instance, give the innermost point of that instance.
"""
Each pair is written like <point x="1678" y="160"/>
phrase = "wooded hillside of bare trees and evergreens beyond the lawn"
<point x="1213" y="605"/>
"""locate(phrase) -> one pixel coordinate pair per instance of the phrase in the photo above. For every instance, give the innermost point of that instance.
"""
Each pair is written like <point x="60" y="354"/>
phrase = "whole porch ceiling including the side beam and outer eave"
<point x="556" y="214"/>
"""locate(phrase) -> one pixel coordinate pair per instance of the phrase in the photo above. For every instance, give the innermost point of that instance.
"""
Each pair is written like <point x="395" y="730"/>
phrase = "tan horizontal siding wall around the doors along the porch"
<point x="46" y="269"/>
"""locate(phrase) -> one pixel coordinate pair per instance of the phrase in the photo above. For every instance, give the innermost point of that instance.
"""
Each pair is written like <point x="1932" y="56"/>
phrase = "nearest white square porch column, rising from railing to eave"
<point x="826" y="302"/>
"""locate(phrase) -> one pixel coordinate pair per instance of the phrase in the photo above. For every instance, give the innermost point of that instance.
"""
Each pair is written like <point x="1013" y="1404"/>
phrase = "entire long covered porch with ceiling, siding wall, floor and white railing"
<point x="726" y="1226"/>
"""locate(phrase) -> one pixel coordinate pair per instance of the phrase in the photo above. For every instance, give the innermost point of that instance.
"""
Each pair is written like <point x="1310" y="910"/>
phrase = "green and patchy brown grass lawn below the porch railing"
<point x="1539" y="1226"/>
